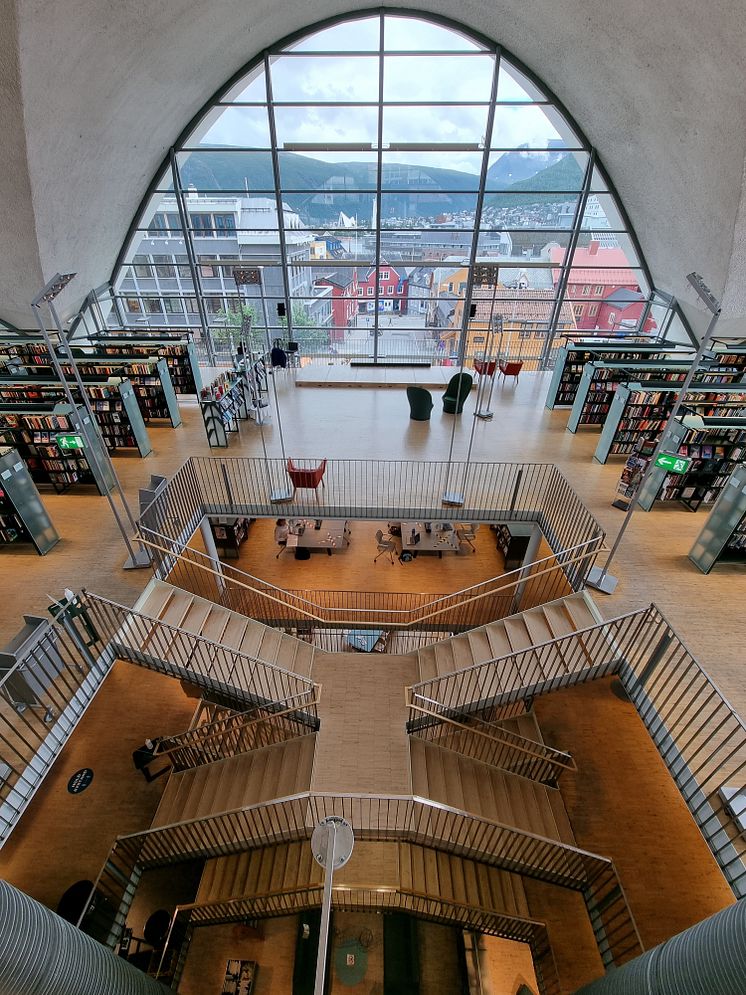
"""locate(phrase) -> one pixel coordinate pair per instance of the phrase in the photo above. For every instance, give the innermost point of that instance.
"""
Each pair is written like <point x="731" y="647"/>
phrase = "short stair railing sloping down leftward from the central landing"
<point x="241" y="732"/>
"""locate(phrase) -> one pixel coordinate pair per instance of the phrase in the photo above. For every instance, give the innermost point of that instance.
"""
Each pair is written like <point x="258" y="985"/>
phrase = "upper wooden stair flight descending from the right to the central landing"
<point x="508" y="635"/>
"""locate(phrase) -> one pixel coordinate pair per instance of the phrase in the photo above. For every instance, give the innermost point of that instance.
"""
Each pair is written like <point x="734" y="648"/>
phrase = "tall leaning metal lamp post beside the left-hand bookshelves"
<point x="139" y="557"/>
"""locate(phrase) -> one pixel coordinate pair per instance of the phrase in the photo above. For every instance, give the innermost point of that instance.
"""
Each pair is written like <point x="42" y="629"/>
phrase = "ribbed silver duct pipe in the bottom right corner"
<point x="707" y="959"/>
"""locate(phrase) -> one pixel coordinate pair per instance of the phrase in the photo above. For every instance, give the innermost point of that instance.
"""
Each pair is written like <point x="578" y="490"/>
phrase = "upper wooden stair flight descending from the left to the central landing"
<point x="221" y="625"/>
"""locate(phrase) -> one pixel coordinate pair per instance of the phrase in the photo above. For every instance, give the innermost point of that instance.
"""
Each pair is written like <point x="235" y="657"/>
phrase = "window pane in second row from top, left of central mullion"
<point x="323" y="78"/>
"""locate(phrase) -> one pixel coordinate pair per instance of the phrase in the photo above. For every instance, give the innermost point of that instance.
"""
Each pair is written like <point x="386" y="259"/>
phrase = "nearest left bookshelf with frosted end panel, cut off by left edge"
<point x="23" y="517"/>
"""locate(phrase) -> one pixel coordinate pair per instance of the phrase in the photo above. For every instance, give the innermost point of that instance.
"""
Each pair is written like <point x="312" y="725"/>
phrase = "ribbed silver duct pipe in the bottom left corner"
<point x="42" y="954"/>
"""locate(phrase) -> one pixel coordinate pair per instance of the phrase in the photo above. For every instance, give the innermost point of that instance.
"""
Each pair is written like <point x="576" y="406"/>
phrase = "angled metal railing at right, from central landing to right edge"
<point x="699" y="735"/>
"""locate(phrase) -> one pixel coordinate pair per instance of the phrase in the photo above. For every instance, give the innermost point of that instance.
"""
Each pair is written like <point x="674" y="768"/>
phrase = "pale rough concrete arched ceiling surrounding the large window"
<point x="92" y="95"/>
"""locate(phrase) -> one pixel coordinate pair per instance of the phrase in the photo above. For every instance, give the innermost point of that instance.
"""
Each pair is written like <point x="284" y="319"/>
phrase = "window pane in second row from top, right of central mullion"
<point x="438" y="77"/>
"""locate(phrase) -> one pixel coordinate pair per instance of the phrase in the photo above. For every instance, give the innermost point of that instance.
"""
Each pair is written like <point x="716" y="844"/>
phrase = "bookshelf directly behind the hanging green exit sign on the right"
<point x="716" y="446"/>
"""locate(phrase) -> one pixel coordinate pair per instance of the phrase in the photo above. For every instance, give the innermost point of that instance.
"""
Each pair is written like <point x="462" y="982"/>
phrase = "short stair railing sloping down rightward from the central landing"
<point x="491" y="744"/>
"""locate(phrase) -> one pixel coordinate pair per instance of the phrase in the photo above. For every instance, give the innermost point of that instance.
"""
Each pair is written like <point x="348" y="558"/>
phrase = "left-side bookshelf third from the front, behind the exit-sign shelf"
<point x="115" y="406"/>
